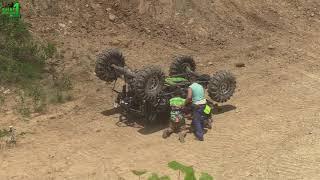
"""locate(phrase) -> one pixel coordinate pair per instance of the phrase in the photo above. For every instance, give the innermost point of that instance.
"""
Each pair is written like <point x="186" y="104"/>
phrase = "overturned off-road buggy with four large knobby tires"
<point x="146" y="92"/>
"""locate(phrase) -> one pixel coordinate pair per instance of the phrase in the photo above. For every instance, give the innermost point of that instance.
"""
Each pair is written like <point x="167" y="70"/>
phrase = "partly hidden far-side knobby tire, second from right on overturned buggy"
<point x="181" y="65"/>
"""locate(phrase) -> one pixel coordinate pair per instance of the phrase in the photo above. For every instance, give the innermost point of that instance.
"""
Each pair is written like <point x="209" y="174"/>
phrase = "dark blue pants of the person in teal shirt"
<point x="198" y="121"/>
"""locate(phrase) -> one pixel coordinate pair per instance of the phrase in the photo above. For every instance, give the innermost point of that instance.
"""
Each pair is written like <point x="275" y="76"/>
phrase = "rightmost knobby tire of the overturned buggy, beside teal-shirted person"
<point x="221" y="86"/>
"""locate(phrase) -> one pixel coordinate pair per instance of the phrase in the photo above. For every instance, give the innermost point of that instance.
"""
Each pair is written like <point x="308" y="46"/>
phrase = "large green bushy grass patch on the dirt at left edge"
<point x="23" y="62"/>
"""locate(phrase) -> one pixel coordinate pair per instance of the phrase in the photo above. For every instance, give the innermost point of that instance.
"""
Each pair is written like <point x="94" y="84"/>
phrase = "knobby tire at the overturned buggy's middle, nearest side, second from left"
<point x="149" y="82"/>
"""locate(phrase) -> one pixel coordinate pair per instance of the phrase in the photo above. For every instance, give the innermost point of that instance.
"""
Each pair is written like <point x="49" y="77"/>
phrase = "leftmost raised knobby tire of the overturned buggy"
<point x="105" y="59"/>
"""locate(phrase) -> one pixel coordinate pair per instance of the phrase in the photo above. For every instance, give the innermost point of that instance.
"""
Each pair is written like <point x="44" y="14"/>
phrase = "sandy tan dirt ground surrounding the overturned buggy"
<point x="270" y="129"/>
